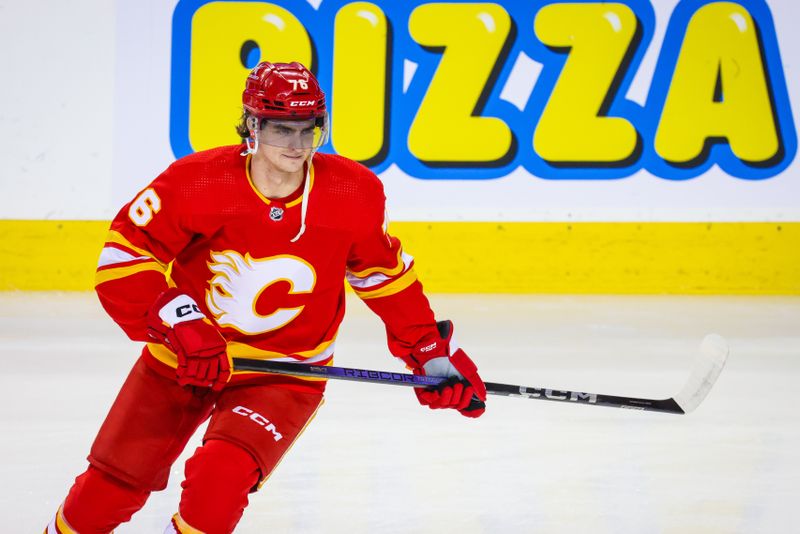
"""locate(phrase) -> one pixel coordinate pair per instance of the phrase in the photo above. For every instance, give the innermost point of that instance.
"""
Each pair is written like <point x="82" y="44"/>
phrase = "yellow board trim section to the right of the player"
<point x="597" y="258"/>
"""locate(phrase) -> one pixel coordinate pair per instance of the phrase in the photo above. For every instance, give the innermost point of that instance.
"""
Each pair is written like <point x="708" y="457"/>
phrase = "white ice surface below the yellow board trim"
<point x="375" y="461"/>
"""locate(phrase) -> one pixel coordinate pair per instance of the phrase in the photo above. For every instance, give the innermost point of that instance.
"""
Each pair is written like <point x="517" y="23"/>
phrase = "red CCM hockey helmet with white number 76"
<point x="286" y="91"/>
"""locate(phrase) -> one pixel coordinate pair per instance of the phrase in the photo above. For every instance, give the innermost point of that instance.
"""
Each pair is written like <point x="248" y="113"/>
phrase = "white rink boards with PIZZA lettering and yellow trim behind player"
<point x="542" y="147"/>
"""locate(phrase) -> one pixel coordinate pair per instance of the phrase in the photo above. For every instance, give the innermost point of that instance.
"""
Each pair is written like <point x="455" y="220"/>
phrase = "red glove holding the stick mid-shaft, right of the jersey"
<point x="464" y="390"/>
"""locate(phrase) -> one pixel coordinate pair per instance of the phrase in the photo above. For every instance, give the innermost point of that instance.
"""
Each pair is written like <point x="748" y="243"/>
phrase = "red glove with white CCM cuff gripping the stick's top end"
<point x="176" y="321"/>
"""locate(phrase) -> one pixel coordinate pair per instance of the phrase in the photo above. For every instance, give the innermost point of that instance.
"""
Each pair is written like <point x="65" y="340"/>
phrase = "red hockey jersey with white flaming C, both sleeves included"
<point x="203" y="226"/>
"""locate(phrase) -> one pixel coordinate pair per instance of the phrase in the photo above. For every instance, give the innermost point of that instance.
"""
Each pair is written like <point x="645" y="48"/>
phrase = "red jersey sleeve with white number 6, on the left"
<point x="144" y="238"/>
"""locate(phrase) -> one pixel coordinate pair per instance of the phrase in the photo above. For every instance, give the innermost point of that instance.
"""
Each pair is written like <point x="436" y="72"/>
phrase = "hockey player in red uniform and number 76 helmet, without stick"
<point x="242" y="251"/>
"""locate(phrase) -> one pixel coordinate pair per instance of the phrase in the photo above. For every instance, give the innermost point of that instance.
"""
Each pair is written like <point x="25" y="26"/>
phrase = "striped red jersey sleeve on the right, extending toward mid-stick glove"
<point x="383" y="276"/>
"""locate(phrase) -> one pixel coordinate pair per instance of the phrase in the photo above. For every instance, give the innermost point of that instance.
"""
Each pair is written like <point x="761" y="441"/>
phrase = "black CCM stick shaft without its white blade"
<point x="404" y="379"/>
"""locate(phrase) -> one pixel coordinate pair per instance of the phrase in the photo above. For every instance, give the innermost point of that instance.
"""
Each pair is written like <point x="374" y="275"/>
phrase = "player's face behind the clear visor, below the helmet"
<point x="287" y="144"/>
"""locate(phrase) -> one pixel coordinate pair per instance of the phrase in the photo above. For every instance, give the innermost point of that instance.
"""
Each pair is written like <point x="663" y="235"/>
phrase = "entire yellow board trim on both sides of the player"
<point x="622" y="258"/>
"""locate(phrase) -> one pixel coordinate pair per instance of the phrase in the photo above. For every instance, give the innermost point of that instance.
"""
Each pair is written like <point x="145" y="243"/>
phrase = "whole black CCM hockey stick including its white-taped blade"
<point x="713" y="353"/>
